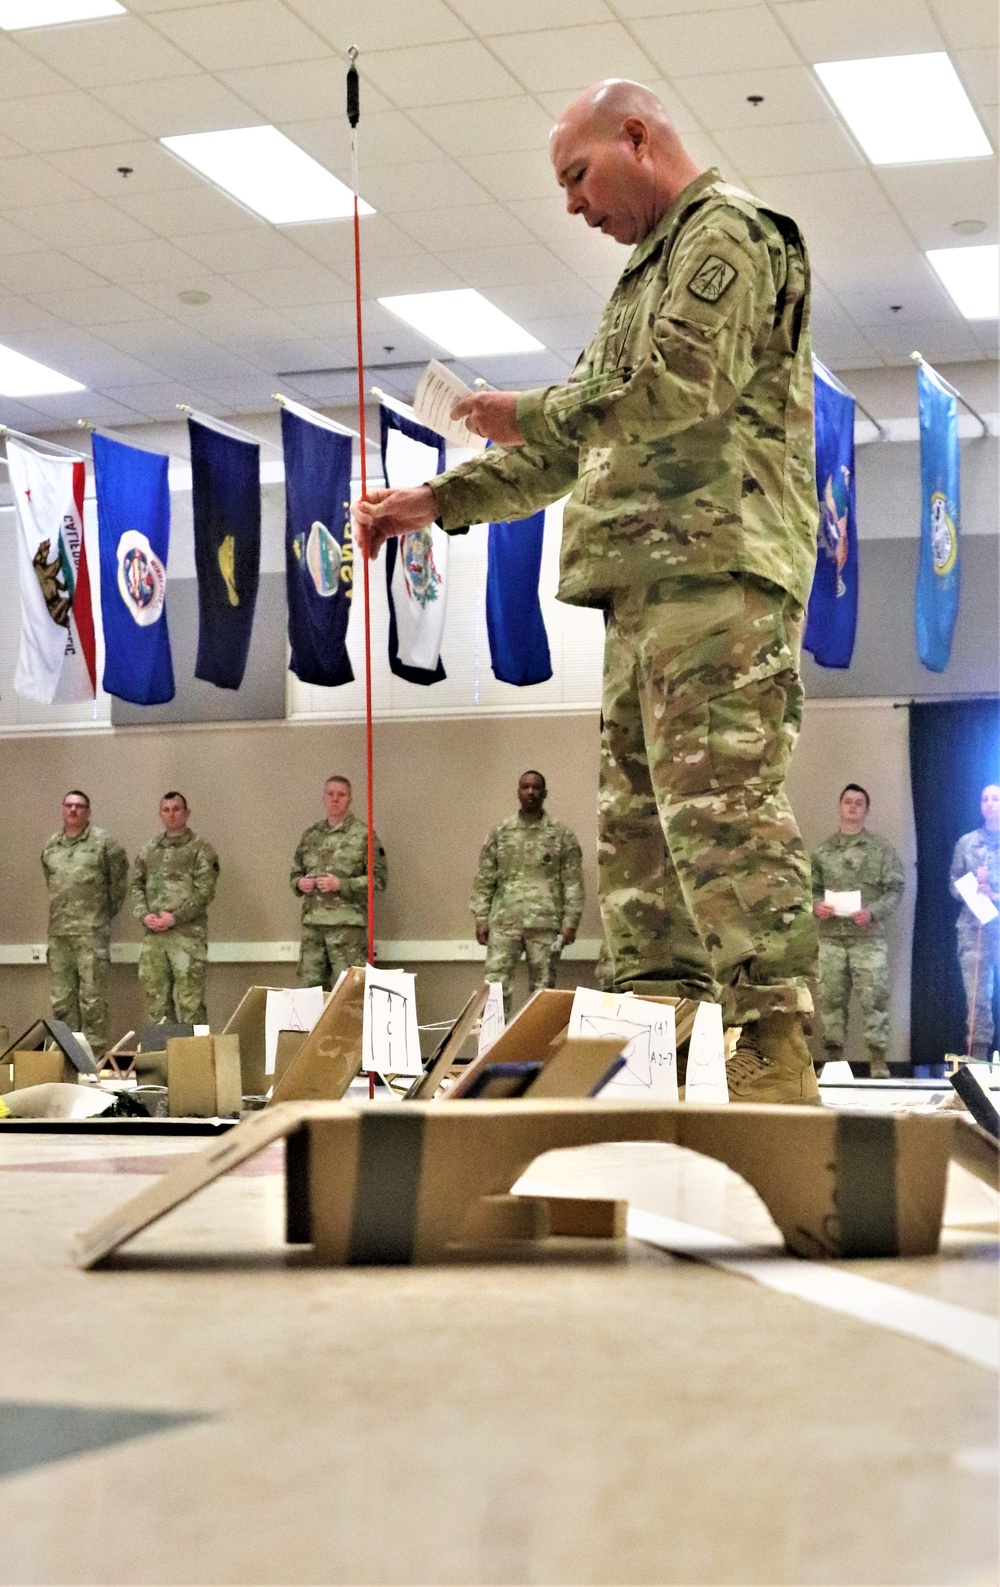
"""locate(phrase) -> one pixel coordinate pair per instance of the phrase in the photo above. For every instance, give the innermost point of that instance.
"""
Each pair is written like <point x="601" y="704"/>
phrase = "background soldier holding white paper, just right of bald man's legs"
<point x="855" y="950"/>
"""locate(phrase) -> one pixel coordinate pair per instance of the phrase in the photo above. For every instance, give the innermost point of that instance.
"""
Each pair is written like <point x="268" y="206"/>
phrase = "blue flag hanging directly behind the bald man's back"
<point x="833" y="617"/>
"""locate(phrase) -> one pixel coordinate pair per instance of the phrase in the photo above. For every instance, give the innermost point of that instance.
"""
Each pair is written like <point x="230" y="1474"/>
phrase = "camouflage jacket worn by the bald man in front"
<point x="687" y="429"/>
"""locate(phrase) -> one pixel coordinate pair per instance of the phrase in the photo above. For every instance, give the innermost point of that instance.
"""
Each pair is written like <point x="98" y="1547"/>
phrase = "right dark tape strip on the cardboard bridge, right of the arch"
<point x="866" y="1185"/>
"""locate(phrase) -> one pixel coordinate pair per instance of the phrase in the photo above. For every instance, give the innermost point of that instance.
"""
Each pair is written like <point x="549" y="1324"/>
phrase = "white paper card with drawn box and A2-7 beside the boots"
<point x="648" y="1032"/>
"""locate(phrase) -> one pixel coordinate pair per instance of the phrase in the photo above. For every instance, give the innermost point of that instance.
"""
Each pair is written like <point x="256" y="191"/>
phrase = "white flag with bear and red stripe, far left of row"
<point x="58" y="653"/>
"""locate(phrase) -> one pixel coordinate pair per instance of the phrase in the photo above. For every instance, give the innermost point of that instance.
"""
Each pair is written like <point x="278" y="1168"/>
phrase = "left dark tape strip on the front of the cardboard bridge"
<point x="390" y="1158"/>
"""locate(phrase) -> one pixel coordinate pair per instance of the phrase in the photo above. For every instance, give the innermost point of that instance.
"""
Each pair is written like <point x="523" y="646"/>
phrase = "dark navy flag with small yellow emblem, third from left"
<point x="226" y="499"/>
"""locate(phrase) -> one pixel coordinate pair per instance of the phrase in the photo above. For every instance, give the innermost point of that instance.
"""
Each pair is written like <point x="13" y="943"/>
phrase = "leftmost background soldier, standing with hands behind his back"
<point x="87" y="874"/>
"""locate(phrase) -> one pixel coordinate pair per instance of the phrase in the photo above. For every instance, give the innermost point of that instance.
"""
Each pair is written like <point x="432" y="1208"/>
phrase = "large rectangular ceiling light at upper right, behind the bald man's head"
<point x="906" y="110"/>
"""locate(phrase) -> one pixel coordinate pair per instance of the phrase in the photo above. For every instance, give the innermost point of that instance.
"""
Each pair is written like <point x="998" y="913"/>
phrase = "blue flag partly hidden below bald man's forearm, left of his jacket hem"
<point x="518" y="644"/>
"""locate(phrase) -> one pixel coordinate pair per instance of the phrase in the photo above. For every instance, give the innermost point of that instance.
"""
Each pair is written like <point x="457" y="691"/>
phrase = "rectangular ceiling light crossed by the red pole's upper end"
<point x="269" y="174"/>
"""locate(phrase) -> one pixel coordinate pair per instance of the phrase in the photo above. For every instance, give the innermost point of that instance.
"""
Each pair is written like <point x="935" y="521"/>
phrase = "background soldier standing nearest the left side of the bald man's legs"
<point x="528" y="896"/>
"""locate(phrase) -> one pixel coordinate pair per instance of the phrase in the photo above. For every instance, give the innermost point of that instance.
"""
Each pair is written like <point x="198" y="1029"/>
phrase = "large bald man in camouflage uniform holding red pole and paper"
<point x="685" y="439"/>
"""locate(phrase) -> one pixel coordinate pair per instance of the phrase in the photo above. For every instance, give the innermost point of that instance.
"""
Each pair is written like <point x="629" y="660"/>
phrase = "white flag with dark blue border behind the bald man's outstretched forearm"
<point x="417" y="566"/>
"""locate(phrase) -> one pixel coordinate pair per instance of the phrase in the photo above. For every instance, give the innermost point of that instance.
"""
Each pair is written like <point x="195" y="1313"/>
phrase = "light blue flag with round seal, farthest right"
<point x="937" y="593"/>
